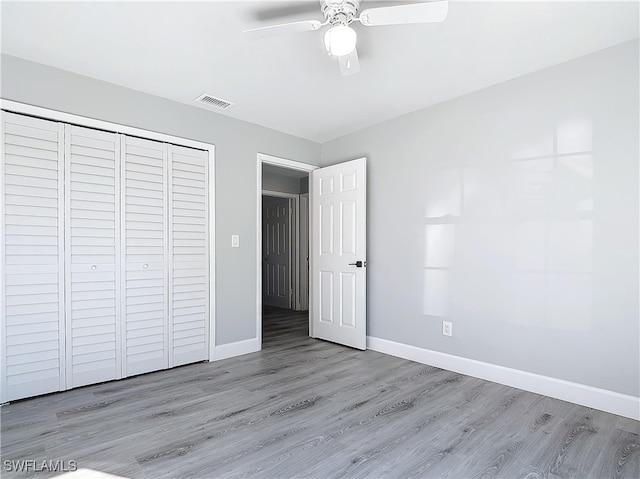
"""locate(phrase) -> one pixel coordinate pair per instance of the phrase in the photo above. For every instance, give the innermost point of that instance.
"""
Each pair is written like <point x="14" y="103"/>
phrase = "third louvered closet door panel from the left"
<point x="145" y="258"/>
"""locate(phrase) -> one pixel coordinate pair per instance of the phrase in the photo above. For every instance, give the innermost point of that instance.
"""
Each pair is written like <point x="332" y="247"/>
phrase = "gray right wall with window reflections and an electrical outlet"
<point x="513" y="212"/>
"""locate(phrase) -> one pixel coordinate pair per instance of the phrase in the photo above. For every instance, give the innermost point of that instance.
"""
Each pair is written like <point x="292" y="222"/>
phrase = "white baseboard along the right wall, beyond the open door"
<point x="602" y="399"/>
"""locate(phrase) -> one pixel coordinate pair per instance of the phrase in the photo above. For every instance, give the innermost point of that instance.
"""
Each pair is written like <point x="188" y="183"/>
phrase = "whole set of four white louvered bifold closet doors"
<point x="105" y="256"/>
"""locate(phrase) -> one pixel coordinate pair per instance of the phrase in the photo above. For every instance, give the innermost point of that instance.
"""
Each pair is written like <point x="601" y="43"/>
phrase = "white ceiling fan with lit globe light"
<point x="340" y="39"/>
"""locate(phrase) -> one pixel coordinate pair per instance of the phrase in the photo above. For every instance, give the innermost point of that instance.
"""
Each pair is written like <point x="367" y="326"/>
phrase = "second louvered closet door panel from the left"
<point x="92" y="165"/>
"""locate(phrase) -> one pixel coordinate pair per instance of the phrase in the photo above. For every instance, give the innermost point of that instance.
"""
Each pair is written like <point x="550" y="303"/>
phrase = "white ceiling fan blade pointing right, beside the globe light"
<point x="429" y="12"/>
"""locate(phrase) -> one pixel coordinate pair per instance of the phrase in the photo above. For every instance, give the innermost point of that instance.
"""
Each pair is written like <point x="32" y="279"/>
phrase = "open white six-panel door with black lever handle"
<point x="339" y="253"/>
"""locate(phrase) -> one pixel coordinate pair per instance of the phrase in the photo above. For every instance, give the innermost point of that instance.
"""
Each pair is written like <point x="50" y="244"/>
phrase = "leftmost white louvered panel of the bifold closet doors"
<point x="32" y="277"/>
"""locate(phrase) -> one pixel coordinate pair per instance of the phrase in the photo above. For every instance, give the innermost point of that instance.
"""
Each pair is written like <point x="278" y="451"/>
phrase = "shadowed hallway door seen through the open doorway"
<point x="276" y="253"/>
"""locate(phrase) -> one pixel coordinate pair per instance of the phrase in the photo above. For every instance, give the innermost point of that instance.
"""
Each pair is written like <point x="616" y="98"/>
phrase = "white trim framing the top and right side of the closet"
<point x="46" y="113"/>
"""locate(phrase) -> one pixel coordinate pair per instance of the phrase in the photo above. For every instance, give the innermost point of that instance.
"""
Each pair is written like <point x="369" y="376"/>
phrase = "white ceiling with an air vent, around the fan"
<point x="180" y="50"/>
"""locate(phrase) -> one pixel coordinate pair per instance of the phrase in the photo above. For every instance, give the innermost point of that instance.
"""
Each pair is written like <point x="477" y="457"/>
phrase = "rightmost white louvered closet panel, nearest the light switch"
<point x="189" y="261"/>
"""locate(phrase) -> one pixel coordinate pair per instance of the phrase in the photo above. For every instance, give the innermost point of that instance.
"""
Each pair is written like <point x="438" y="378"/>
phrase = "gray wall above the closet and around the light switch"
<point x="237" y="144"/>
